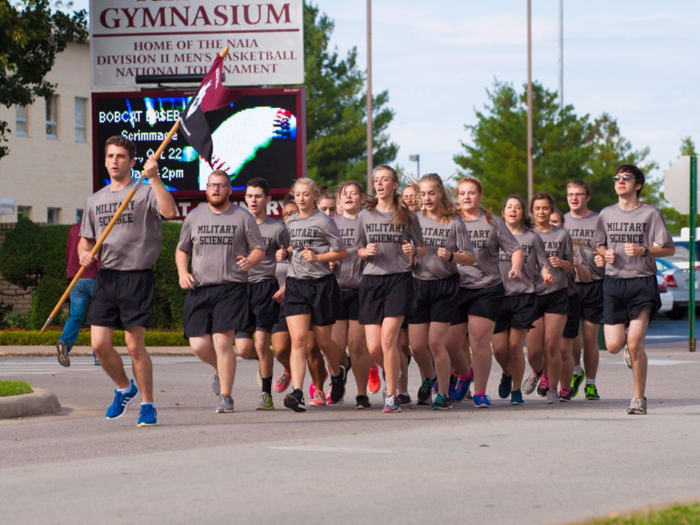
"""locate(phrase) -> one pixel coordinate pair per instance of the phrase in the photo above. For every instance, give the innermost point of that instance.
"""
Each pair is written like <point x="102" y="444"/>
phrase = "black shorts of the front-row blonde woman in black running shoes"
<point x="318" y="297"/>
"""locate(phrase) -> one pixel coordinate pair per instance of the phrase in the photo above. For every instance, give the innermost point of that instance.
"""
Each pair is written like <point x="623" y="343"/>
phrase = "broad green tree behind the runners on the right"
<point x="565" y="146"/>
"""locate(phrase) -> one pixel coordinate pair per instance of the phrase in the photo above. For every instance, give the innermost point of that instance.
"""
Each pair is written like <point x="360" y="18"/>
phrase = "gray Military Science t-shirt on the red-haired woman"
<point x="488" y="240"/>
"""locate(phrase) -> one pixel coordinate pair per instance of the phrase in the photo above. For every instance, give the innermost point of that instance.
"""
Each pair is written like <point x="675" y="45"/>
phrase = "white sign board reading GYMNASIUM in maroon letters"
<point x="181" y="37"/>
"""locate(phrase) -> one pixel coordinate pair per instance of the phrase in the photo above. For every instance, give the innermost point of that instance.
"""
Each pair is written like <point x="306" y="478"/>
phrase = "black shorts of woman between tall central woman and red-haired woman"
<point x="434" y="301"/>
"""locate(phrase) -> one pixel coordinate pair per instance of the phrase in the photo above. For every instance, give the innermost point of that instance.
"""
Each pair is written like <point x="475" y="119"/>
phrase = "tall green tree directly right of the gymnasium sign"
<point x="336" y="110"/>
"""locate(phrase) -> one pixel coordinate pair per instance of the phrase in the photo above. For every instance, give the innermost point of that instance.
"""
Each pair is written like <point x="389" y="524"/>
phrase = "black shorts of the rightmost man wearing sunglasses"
<point x="625" y="299"/>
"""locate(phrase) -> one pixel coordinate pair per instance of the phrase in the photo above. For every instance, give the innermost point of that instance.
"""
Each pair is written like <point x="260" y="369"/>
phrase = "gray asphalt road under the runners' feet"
<point x="530" y="464"/>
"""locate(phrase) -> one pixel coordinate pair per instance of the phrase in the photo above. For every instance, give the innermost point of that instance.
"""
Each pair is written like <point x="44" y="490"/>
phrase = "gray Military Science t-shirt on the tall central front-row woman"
<point x="379" y="227"/>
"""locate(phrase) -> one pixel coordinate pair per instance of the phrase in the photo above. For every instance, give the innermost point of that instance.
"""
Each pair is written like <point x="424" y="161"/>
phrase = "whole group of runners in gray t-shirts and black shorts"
<point x="351" y="284"/>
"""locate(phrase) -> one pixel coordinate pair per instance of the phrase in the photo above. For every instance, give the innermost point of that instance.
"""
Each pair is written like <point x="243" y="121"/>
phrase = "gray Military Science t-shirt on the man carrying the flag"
<point x="134" y="242"/>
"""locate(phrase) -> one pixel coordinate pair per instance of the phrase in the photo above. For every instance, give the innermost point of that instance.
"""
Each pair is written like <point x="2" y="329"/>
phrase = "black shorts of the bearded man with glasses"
<point x="216" y="309"/>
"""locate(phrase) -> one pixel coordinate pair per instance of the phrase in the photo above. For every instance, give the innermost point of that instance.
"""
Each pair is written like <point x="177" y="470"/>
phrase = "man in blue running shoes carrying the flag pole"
<point x="125" y="287"/>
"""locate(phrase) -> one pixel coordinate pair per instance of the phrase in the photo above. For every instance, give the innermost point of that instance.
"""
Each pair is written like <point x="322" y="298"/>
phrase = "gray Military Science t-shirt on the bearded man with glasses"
<point x="216" y="240"/>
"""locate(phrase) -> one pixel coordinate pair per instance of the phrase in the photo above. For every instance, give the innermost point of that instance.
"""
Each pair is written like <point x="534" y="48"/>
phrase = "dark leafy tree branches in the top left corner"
<point x="31" y="35"/>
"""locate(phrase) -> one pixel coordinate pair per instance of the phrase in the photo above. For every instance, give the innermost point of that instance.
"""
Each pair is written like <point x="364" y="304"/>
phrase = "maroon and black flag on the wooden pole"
<point x="211" y="95"/>
